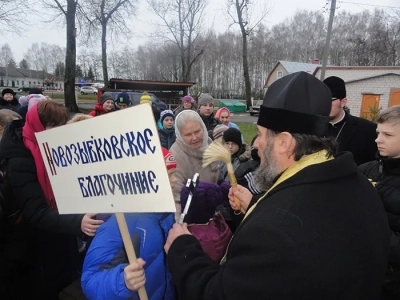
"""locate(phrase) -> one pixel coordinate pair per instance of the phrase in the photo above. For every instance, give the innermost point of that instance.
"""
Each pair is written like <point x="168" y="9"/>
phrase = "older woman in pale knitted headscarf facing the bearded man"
<point x="191" y="141"/>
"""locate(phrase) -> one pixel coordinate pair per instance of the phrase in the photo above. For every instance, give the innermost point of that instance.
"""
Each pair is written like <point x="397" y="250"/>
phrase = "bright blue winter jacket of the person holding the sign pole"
<point x="103" y="269"/>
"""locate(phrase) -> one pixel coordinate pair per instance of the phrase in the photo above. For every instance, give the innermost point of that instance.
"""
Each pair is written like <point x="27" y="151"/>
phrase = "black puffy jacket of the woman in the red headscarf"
<point x="53" y="250"/>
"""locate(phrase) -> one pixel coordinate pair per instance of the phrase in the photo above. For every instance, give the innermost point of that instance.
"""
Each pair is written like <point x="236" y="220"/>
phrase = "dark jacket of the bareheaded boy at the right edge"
<point x="385" y="174"/>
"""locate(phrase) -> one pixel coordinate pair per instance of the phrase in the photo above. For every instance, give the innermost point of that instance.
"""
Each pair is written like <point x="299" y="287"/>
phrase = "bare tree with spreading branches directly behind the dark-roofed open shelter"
<point x="182" y="21"/>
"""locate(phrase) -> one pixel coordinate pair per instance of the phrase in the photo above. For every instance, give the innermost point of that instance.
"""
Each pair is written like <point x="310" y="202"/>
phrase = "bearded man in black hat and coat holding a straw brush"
<point x="319" y="232"/>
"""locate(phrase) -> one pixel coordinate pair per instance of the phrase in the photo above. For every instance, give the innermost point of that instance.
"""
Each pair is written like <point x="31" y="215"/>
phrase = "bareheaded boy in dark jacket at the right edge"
<point x="385" y="175"/>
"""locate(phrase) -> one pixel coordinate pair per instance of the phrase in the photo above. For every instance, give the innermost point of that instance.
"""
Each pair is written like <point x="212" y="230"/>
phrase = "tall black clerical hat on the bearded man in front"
<point x="297" y="103"/>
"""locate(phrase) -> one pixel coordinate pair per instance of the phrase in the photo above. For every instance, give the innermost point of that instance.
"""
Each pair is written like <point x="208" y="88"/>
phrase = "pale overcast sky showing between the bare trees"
<point x="143" y="24"/>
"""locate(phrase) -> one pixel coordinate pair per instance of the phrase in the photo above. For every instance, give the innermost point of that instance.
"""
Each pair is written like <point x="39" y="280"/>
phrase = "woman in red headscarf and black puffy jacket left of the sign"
<point x="54" y="250"/>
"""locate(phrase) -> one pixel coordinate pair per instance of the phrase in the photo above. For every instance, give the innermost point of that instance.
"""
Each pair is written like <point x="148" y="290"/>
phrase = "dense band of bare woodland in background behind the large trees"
<point x="299" y="38"/>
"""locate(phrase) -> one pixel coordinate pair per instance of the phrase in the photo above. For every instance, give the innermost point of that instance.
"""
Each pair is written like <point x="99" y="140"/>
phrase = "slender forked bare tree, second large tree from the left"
<point x="108" y="17"/>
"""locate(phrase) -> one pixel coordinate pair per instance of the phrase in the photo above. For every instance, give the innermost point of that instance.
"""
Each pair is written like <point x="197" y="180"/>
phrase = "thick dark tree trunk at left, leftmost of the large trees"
<point x="67" y="10"/>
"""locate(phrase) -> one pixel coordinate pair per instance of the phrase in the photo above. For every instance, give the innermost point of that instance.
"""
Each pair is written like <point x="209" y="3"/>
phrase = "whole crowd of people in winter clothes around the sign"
<point x="318" y="215"/>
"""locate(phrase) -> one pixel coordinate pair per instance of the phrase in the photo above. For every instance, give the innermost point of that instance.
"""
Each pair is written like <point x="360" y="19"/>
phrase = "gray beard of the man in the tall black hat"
<point x="265" y="175"/>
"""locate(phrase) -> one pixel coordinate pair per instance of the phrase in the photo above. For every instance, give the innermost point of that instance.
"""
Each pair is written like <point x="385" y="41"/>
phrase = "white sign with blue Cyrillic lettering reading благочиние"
<point x="107" y="164"/>
